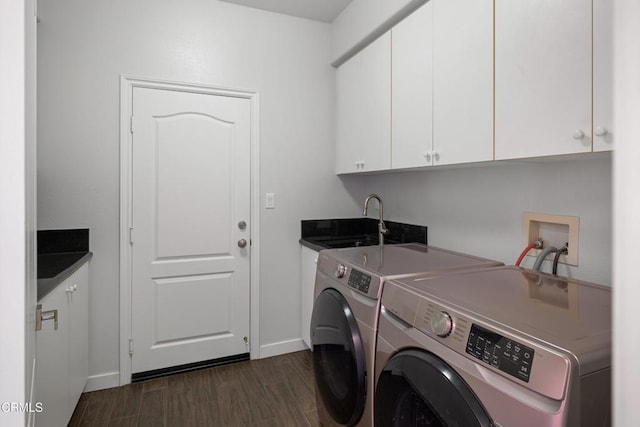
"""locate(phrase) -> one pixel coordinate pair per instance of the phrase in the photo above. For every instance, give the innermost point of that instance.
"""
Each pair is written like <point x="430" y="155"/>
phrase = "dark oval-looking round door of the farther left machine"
<point x="339" y="362"/>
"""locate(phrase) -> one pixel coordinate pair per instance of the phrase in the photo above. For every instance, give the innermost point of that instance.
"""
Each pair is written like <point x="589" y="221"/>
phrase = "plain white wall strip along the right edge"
<point x="626" y="341"/>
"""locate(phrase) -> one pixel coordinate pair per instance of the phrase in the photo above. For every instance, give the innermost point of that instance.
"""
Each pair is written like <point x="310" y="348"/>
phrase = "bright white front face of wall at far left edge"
<point x="12" y="193"/>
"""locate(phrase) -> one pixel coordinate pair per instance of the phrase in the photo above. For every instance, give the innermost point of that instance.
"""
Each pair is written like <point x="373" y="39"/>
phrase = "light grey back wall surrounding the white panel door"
<point x="83" y="49"/>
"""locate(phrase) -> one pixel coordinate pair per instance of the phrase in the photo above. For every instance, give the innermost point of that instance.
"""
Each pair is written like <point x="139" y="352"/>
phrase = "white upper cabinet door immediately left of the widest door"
<point x="463" y="81"/>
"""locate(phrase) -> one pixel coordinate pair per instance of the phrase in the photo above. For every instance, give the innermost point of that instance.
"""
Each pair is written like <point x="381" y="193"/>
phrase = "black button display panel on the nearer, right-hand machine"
<point x="502" y="353"/>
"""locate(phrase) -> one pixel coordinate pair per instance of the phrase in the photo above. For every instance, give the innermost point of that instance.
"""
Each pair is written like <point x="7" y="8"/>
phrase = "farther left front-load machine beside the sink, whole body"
<point x="345" y="318"/>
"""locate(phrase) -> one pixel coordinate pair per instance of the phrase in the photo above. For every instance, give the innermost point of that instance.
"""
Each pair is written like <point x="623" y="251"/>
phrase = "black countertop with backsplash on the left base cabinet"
<point x="60" y="254"/>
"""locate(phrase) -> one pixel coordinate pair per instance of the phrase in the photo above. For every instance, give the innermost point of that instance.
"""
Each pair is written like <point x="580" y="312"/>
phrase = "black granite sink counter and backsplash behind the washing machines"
<point x="350" y="232"/>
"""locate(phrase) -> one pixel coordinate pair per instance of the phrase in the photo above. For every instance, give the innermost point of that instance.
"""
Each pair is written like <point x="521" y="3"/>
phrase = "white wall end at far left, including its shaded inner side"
<point x="17" y="212"/>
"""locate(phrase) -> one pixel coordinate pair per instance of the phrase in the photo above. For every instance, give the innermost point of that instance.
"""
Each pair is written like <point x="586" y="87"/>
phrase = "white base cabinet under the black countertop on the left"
<point x="62" y="354"/>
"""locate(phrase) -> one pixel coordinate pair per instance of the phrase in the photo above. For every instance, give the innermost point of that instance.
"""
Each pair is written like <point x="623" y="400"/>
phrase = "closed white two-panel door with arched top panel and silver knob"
<point x="191" y="188"/>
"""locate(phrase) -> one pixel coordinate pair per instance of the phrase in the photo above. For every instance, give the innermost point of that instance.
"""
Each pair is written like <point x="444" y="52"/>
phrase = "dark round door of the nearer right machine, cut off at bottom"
<point x="417" y="388"/>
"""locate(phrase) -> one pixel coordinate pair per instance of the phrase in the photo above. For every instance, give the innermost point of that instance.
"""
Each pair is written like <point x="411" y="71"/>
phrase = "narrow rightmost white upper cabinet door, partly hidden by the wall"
<point x="602" y="75"/>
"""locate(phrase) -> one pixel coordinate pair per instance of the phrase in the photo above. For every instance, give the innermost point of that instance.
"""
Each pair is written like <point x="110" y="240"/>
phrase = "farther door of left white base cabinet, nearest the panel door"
<point x="78" y="334"/>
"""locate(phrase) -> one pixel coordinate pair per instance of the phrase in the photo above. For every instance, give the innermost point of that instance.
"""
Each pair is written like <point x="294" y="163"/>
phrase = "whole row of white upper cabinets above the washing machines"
<point x="465" y="81"/>
